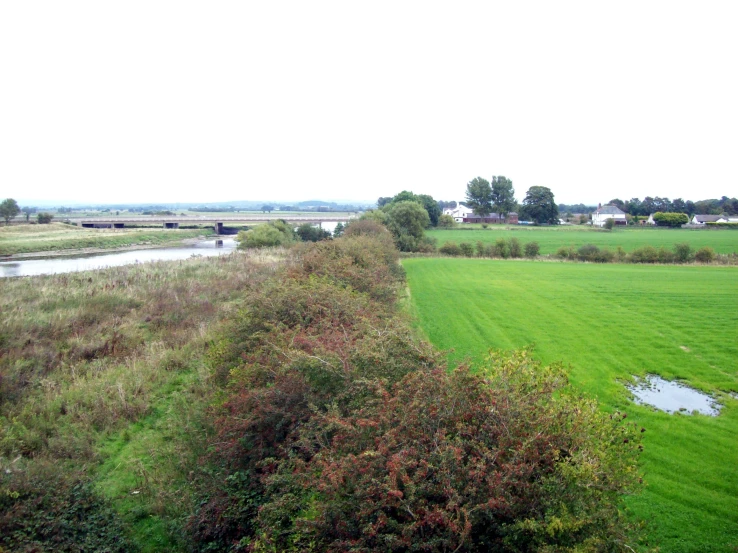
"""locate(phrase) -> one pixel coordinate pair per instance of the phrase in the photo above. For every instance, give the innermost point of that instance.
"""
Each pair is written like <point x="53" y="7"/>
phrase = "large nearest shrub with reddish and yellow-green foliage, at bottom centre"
<point x="506" y="459"/>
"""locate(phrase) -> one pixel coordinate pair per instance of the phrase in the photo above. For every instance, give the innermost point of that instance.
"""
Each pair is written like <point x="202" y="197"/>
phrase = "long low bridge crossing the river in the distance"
<point x="173" y="222"/>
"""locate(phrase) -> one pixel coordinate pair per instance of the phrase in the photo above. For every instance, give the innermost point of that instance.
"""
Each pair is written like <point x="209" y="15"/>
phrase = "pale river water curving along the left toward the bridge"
<point x="55" y="265"/>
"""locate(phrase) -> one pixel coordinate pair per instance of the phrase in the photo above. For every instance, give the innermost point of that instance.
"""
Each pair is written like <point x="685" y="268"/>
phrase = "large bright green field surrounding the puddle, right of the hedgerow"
<point x="611" y="322"/>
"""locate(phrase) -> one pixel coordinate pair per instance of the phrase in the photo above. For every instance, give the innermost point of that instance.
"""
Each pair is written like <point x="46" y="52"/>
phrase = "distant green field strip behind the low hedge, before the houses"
<point x="552" y="238"/>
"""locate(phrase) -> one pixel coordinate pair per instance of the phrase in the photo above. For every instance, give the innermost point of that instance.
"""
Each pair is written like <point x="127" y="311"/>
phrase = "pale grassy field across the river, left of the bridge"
<point x="58" y="236"/>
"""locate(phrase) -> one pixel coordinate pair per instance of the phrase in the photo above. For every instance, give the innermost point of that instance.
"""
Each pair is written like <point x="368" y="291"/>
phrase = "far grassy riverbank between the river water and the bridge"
<point x="60" y="240"/>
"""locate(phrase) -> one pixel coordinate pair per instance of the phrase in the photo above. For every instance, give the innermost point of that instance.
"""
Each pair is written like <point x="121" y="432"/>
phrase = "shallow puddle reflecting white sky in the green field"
<point x="673" y="397"/>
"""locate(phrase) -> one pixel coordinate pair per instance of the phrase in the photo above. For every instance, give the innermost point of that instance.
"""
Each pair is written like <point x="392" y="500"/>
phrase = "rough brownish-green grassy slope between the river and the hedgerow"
<point x="103" y="372"/>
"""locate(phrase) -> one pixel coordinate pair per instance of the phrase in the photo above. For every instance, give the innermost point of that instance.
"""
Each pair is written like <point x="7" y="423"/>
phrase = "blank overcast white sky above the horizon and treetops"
<point x="145" y="101"/>
